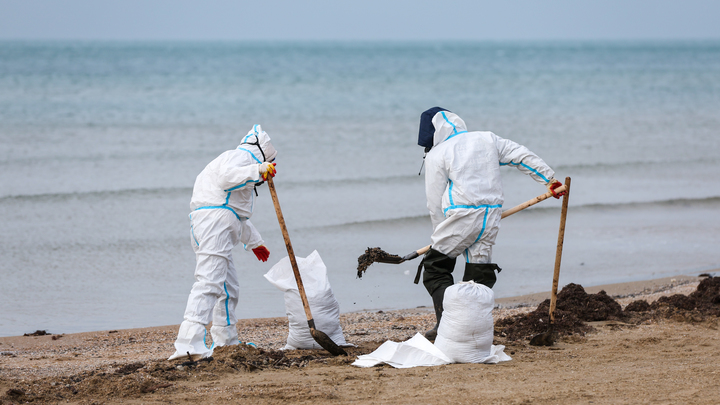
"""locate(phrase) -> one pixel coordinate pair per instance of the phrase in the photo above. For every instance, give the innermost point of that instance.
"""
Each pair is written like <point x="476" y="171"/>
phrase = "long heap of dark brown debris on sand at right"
<point x="575" y="308"/>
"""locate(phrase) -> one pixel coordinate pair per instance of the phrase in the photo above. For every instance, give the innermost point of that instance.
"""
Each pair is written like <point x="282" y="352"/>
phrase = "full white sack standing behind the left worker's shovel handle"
<point x="323" y="305"/>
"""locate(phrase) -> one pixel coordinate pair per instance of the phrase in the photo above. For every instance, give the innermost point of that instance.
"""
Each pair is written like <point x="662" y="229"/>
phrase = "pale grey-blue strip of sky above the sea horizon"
<point x="359" y="20"/>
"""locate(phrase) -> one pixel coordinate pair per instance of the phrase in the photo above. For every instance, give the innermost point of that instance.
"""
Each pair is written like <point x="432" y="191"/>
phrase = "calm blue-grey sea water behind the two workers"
<point x="100" y="144"/>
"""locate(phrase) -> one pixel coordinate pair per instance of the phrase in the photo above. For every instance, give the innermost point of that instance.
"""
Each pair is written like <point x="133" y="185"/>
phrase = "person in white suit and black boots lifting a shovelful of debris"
<point x="465" y="197"/>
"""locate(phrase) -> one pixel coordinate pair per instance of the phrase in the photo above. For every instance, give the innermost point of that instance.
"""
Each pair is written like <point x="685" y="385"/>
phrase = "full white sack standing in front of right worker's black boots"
<point x="465" y="333"/>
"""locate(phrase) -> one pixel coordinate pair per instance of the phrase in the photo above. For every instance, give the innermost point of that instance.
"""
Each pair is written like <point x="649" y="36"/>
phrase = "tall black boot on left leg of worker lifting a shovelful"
<point x="436" y="278"/>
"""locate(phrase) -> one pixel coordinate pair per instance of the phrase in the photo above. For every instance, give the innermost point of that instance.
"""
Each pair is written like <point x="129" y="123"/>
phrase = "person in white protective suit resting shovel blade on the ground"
<point x="222" y="203"/>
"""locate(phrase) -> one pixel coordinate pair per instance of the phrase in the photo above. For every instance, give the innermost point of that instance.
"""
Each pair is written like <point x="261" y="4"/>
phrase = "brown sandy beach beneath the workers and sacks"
<point x="663" y="354"/>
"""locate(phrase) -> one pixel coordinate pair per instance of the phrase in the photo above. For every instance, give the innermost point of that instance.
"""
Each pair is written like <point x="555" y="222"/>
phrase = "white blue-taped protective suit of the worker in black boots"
<point x="463" y="186"/>
